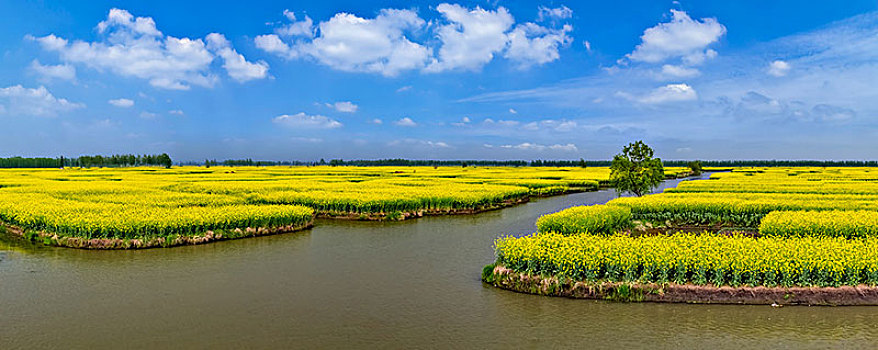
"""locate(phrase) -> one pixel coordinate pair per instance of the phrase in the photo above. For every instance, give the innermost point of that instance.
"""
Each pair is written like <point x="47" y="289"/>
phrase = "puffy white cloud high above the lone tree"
<point x="682" y="37"/>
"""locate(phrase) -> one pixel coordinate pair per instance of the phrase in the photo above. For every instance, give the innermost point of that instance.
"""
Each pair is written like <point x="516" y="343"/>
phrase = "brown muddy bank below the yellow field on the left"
<point x="53" y="239"/>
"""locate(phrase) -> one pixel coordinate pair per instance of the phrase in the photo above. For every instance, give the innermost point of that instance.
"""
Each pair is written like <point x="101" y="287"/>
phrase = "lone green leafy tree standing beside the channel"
<point x="635" y="170"/>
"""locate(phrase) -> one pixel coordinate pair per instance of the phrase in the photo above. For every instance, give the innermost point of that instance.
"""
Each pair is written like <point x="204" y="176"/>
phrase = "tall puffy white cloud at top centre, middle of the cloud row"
<point x="471" y="38"/>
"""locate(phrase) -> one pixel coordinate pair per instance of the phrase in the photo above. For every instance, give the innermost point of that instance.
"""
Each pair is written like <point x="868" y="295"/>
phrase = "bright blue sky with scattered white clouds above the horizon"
<point x="440" y="80"/>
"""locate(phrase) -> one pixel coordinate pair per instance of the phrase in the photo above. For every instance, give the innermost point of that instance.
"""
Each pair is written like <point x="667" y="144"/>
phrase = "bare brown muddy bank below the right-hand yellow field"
<point x="502" y="277"/>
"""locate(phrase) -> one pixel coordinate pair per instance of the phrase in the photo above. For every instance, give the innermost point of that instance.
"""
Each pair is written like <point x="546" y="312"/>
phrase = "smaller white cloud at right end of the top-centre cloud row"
<point x="531" y="44"/>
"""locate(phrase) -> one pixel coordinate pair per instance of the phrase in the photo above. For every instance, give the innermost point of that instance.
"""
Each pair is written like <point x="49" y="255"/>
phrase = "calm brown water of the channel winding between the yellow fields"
<point x="412" y="284"/>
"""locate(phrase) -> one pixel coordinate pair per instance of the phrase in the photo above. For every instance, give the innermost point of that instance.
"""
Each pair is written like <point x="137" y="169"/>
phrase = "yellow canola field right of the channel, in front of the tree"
<point x="762" y="227"/>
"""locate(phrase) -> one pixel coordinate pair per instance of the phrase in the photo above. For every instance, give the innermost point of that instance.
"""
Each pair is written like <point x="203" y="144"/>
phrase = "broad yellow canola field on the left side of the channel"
<point x="168" y="205"/>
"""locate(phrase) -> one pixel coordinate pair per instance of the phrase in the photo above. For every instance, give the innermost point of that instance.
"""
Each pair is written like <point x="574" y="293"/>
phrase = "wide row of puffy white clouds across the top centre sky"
<point x="466" y="39"/>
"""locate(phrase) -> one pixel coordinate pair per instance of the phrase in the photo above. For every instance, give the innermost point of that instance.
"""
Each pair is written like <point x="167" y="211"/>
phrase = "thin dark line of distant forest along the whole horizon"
<point x="165" y="161"/>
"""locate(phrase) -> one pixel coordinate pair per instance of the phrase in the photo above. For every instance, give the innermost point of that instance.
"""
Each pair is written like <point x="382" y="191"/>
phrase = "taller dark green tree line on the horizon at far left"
<point x="97" y="161"/>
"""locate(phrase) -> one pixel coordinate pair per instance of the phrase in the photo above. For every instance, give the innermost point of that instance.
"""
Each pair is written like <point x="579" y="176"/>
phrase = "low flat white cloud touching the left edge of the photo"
<point x="17" y="100"/>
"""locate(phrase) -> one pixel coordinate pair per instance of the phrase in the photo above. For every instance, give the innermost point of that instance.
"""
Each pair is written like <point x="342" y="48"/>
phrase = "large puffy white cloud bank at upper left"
<point x="134" y="47"/>
